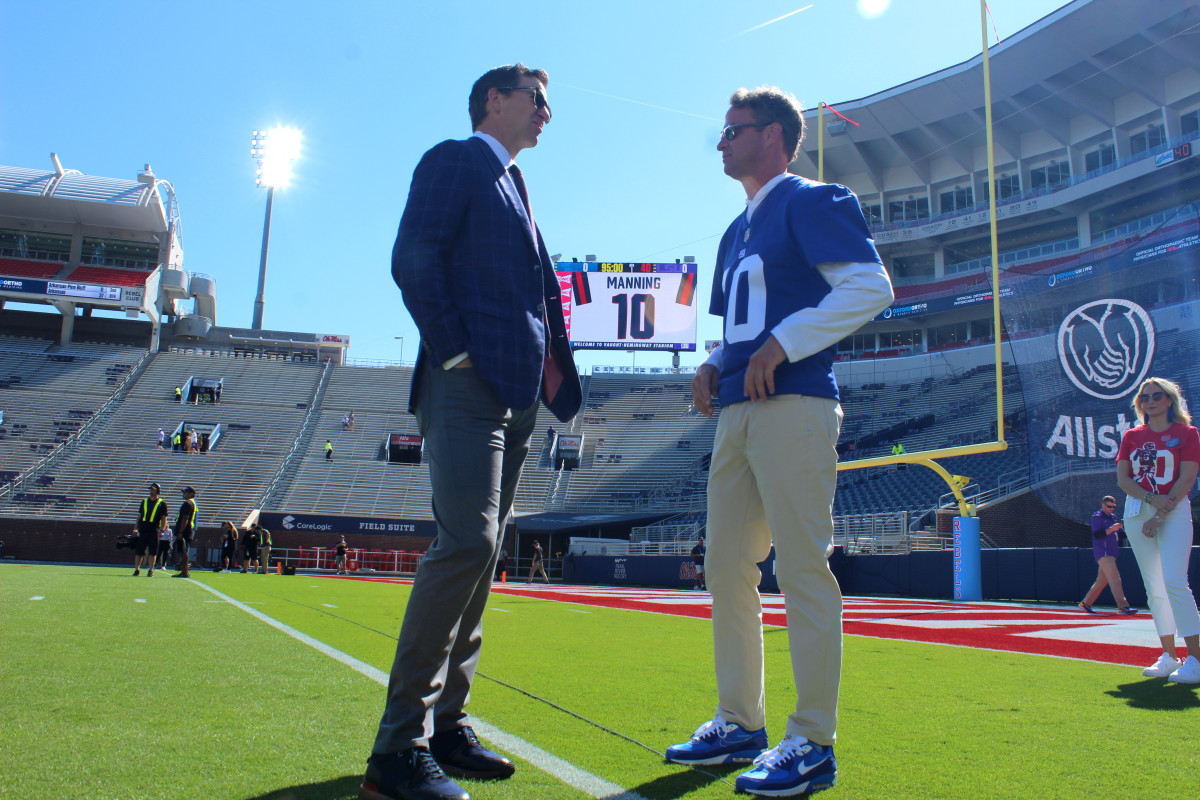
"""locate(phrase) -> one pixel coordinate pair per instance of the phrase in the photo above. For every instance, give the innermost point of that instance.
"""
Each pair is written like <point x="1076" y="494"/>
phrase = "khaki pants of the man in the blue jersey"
<point x="773" y="478"/>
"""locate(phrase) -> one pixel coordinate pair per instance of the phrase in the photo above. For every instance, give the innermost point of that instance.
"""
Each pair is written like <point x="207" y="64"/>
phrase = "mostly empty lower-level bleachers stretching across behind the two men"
<point x="646" y="449"/>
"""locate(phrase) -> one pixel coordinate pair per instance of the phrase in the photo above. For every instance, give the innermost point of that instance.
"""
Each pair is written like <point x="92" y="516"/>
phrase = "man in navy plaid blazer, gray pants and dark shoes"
<point x="478" y="280"/>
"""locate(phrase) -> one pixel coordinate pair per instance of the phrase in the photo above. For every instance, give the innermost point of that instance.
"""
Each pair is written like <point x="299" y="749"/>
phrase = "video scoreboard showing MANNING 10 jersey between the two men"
<point x="623" y="306"/>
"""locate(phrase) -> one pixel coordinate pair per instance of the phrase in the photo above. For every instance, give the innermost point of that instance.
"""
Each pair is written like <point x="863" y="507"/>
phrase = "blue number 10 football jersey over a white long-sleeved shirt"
<point x="766" y="272"/>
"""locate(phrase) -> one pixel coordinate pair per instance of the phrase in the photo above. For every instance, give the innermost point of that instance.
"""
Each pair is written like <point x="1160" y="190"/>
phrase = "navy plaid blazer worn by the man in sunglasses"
<point x="477" y="280"/>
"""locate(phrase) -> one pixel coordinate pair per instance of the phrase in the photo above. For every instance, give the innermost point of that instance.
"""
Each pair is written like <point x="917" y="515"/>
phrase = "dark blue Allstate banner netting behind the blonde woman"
<point x="1117" y="322"/>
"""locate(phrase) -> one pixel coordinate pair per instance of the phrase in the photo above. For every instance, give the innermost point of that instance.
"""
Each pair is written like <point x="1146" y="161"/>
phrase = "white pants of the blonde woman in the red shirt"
<point x="1163" y="561"/>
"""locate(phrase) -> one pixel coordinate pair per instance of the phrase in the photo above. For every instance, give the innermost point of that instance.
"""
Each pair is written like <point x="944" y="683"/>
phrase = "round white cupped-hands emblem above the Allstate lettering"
<point x="1106" y="347"/>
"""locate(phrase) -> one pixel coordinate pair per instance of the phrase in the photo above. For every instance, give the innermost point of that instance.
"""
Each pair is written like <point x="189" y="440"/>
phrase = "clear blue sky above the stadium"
<point x="628" y="170"/>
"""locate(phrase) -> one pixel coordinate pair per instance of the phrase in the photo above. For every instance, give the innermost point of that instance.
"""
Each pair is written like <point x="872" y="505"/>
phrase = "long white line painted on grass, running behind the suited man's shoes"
<point x="549" y="763"/>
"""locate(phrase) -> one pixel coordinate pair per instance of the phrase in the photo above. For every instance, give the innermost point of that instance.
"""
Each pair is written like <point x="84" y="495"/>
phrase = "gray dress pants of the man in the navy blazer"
<point x="477" y="449"/>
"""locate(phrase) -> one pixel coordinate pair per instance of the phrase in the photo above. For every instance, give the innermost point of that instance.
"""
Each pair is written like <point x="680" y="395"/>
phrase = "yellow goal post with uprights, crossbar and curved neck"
<point x="928" y="458"/>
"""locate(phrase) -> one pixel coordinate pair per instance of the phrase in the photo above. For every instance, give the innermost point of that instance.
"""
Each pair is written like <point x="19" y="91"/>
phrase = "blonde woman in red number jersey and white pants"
<point x="1157" y="467"/>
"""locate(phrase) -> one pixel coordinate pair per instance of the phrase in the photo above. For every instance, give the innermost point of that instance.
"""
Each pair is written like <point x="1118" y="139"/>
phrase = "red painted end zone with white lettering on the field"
<point x="1042" y="630"/>
